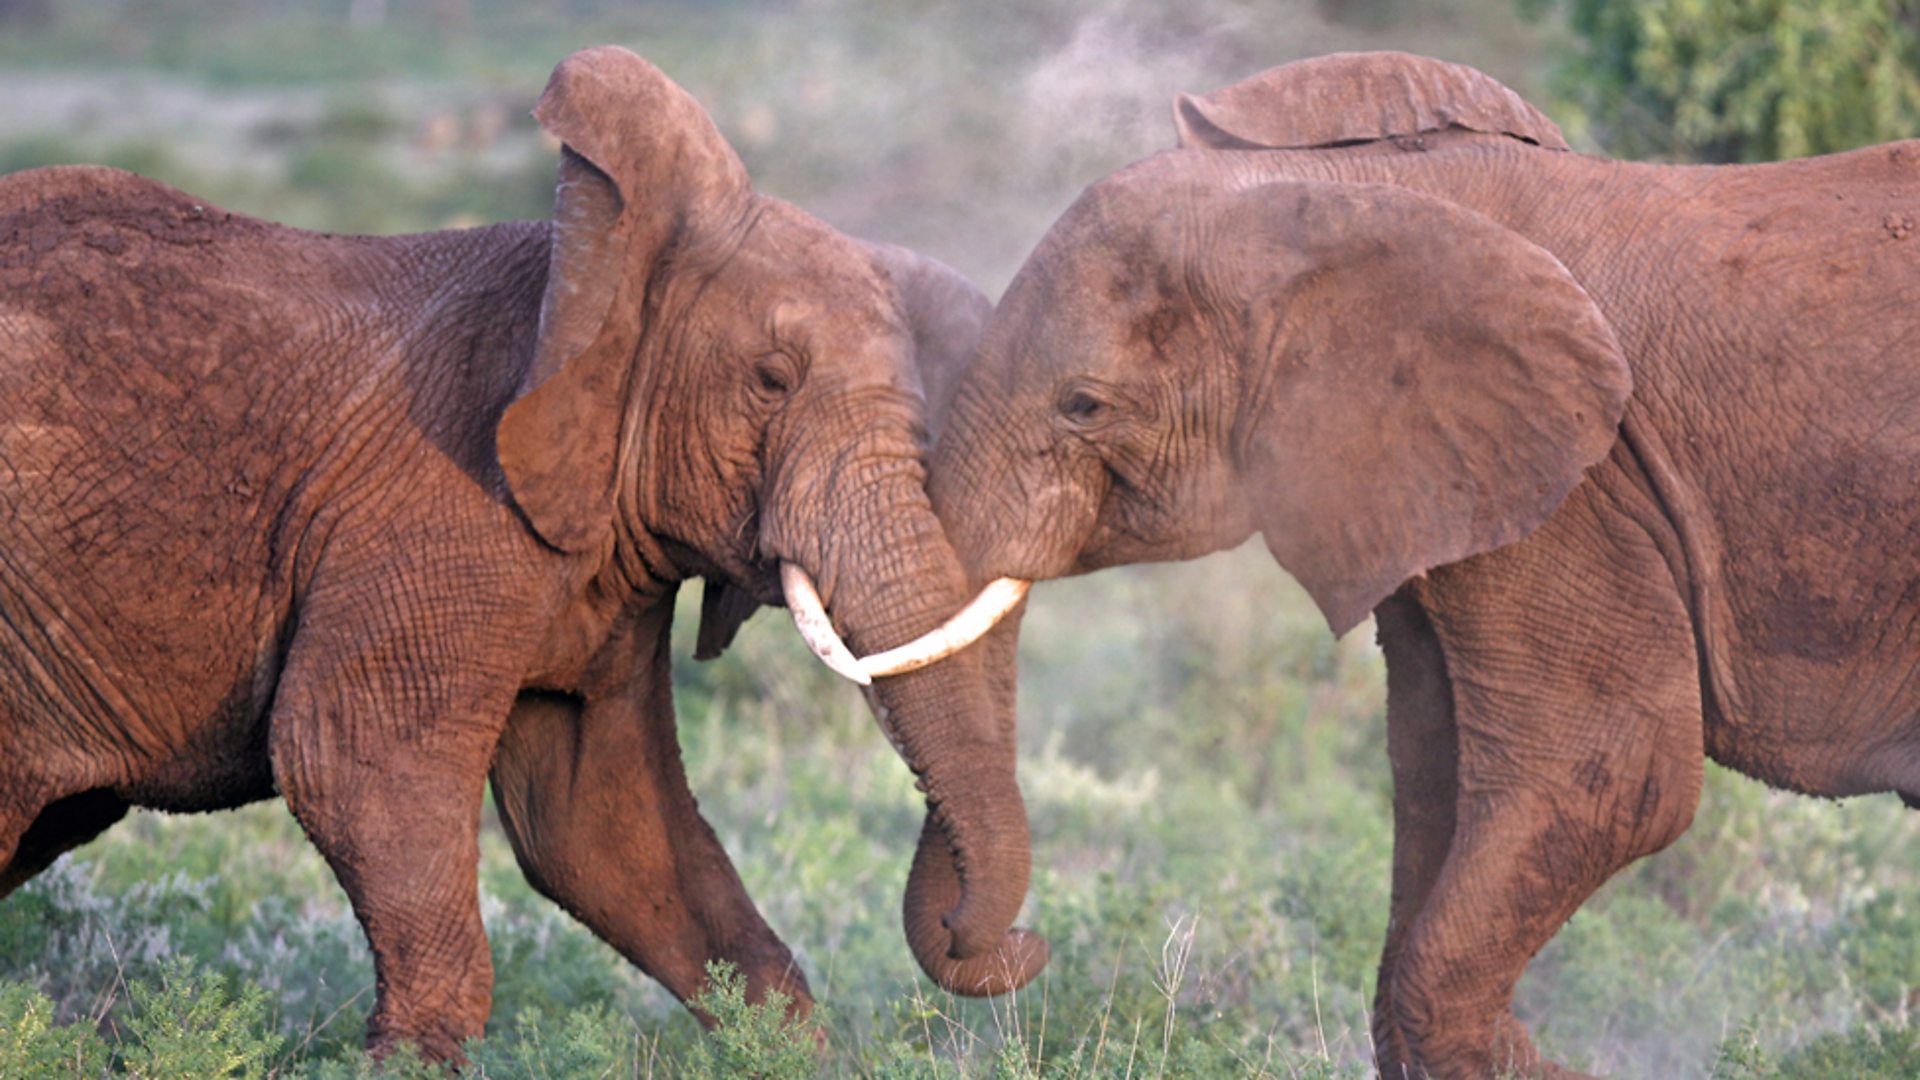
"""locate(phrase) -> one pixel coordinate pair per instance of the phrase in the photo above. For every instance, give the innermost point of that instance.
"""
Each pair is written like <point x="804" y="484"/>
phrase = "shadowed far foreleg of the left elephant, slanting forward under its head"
<point x="596" y="802"/>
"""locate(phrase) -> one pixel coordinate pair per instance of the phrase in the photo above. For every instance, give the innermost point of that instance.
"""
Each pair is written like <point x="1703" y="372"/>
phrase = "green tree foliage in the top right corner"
<point x="1739" y="80"/>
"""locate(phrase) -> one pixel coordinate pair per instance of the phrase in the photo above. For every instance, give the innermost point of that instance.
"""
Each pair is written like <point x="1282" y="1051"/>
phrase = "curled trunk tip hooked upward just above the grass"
<point x="932" y="906"/>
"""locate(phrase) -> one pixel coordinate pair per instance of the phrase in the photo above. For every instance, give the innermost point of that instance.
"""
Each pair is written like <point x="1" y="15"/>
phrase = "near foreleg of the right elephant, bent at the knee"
<point x="1577" y="714"/>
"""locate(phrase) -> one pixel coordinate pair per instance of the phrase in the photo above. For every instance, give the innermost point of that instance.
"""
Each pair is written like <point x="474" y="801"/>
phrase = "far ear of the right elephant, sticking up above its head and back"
<point x="1356" y="97"/>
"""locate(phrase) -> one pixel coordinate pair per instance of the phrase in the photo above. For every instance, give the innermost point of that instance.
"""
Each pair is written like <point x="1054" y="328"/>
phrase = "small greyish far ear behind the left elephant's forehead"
<point x="948" y="314"/>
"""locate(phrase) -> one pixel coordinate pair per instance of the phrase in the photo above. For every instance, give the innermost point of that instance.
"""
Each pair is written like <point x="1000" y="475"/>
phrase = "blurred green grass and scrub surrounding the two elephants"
<point x="1205" y="764"/>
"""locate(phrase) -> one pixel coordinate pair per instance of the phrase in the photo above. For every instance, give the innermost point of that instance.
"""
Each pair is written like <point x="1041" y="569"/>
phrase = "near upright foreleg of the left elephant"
<point x="383" y="756"/>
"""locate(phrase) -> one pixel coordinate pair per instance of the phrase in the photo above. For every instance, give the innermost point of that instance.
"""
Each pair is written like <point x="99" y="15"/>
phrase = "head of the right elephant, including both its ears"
<point x="1222" y="341"/>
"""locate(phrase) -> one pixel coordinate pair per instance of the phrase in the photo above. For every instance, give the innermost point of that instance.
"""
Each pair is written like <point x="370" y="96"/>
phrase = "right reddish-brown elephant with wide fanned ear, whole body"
<point x="1620" y="456"/>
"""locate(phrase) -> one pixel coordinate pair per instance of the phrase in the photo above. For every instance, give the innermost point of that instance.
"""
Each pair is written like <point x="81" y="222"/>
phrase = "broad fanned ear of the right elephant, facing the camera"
<point x="1422" y="385"/>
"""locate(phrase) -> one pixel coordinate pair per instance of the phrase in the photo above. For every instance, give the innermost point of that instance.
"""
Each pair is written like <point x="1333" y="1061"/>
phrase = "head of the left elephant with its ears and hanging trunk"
<point x="723" y="385"/>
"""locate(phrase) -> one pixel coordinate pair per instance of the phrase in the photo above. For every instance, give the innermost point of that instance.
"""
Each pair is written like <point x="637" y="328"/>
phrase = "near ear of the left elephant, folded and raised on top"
<point x="640" y="166"/>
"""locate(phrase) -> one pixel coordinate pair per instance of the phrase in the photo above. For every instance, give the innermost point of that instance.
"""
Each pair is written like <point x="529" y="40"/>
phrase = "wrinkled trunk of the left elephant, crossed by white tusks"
<point x="890" y="576"/>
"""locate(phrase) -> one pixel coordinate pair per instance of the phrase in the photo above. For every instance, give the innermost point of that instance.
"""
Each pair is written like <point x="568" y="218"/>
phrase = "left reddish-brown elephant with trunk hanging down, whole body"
<point x="366" y="522"/>
